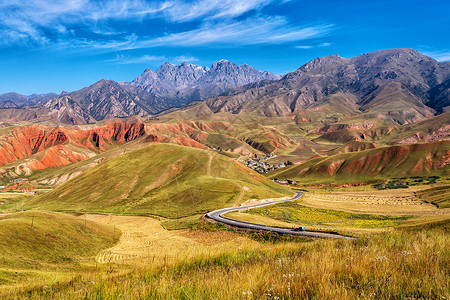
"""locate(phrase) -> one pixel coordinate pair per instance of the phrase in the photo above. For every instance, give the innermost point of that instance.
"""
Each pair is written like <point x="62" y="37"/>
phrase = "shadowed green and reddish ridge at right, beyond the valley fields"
<point x="383" y="162"/>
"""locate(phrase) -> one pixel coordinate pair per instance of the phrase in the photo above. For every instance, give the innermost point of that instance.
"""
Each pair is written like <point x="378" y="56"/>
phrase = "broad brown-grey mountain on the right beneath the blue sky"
<point x="397" y="84"/>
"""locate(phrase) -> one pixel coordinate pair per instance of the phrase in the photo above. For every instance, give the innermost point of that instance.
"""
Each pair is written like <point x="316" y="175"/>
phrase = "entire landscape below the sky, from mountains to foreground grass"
<point x="105" y="191"/>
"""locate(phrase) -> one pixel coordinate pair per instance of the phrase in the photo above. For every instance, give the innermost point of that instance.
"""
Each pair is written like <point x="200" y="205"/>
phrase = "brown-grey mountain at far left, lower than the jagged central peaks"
<point x="104" y="99"/>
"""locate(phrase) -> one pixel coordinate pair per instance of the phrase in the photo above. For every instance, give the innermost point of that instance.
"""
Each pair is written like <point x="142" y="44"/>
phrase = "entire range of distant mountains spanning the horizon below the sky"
<point x="395" y="86"/>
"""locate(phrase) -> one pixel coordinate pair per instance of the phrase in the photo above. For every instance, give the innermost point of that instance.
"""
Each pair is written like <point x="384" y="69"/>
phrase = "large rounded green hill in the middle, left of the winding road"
<point x="162" y="179"/>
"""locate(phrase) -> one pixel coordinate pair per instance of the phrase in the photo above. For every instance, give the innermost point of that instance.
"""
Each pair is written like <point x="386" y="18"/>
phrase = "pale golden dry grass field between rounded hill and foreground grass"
<point x="145" y="241"/>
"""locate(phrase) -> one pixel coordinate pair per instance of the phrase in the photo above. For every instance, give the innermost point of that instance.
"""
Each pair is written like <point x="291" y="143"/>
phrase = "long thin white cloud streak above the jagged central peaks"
<point x="269" y="30"/>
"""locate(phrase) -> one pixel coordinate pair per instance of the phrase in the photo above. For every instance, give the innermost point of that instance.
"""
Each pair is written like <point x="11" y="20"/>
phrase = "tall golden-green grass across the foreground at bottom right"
<point x="411" y="263"/>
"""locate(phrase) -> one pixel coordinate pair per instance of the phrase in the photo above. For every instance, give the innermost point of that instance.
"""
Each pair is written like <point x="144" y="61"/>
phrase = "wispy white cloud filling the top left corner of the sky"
<point x="38" y="20"/>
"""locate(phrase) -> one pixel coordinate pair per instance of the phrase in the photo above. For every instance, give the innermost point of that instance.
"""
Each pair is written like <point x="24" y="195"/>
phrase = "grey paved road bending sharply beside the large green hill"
<point x="216" y="215"/>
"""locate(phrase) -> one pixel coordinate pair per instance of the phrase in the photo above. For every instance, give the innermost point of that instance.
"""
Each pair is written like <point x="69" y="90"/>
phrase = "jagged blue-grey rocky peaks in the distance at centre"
<point x="181" y="84"/>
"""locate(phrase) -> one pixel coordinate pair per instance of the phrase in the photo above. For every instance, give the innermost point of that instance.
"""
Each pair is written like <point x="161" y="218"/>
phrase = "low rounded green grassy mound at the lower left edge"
<point x="56" y="242"/>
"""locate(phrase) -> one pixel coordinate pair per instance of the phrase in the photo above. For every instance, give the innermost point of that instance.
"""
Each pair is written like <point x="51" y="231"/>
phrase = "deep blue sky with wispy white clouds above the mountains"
<point x="65" y="45"/>
